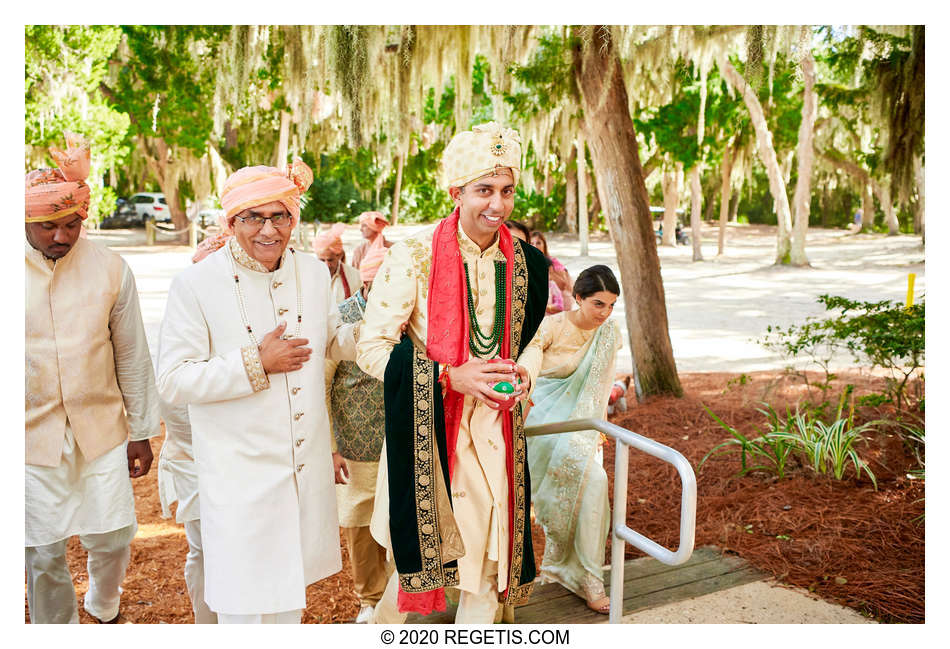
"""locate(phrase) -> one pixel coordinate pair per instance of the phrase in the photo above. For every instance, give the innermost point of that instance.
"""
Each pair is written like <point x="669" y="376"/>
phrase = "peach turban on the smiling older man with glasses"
<point x="253" y="186"/>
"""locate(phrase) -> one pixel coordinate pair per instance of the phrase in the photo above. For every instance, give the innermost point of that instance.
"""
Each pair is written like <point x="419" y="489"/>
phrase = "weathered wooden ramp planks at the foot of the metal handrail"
<point x="647" y="584"/>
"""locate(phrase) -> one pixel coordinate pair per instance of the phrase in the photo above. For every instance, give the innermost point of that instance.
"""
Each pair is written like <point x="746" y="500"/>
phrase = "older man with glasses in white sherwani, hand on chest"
<point x="234" y="347"/>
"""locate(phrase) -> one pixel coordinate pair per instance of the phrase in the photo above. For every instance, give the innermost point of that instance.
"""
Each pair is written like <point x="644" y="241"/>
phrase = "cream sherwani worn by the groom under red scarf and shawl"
<point x="479" y="485"/>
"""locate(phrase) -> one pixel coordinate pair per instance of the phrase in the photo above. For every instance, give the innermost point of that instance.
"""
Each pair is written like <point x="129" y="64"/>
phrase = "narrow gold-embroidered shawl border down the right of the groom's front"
<point x="518" y="592"/>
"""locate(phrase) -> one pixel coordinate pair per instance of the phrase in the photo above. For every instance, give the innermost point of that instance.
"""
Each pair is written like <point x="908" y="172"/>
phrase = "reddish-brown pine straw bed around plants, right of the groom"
<point x="842" y="540"/>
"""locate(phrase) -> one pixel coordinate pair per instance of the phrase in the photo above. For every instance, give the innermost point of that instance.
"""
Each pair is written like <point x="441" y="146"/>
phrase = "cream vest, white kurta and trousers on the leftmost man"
<point x="66" y="492"/>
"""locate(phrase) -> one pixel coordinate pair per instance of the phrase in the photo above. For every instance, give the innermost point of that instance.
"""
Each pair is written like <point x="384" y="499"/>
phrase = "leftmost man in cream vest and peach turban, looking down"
<point x="89" y="389"/>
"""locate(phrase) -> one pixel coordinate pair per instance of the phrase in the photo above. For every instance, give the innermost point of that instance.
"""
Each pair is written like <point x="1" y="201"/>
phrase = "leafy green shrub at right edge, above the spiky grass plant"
<point x="885" y="334"/>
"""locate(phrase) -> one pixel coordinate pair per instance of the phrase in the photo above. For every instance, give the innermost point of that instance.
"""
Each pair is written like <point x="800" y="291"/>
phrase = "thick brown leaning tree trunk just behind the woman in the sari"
<point x="614" y="151"/>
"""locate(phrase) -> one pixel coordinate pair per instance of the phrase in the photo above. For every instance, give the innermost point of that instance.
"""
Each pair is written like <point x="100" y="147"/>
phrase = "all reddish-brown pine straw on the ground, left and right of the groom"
<point x="845" y="542"/>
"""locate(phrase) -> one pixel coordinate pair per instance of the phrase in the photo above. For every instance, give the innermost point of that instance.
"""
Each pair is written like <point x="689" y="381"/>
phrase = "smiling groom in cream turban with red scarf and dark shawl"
<point x="453" y="495"/>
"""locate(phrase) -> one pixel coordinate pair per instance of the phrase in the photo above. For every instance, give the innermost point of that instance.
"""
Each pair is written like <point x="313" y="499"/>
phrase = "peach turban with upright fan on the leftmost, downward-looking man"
<point x="55" y="193"/>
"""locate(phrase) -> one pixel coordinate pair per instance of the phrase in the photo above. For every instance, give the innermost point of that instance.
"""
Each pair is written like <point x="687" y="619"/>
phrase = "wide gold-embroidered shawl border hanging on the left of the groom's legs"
<point x="433" y="573"/>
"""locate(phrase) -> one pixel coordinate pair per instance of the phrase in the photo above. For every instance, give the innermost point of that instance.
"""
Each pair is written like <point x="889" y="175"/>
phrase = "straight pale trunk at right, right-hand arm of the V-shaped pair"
<point x="801" y="201"/>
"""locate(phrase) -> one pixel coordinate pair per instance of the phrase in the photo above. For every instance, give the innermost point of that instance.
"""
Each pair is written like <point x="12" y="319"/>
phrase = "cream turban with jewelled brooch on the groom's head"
<point x="479" y="152"/>
